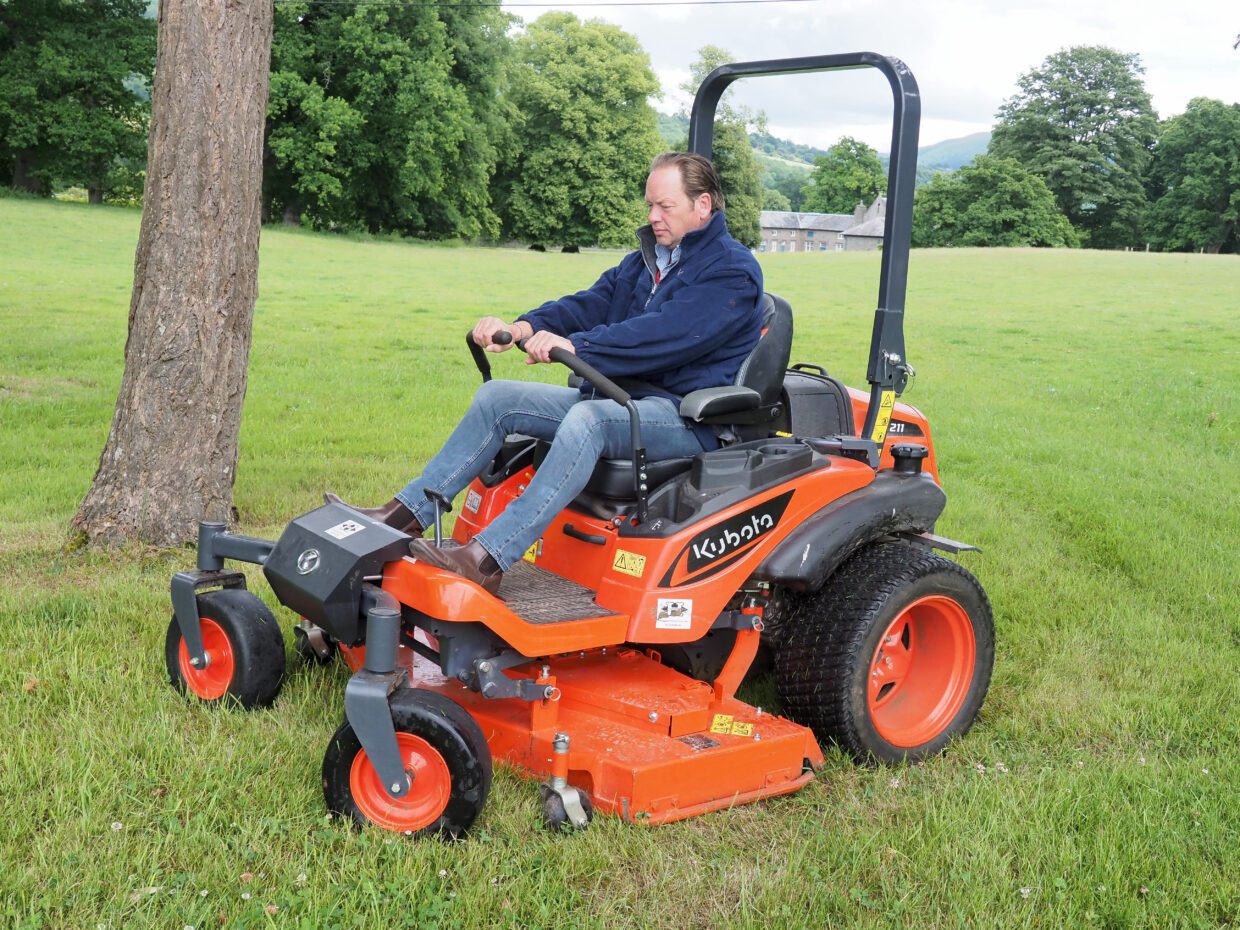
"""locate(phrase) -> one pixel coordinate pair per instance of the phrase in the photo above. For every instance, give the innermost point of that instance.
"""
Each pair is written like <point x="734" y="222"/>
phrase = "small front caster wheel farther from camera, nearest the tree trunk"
<point x="245" y="652"/>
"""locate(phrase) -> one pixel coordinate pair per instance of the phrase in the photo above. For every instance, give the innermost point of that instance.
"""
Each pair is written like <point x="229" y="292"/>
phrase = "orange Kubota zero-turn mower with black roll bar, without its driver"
<point x="609" y="664"/>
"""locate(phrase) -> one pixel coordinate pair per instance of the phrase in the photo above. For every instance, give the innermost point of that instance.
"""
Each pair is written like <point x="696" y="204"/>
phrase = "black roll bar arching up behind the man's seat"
<point x="888" y="371"/>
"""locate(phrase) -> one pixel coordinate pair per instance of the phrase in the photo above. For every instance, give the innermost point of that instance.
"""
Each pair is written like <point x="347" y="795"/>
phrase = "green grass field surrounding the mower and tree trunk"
<point x="1087" y="415"/>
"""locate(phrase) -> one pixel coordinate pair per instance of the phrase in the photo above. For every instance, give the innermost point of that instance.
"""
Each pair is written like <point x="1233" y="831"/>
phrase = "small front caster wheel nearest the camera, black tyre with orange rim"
<point x="446" y="756"/>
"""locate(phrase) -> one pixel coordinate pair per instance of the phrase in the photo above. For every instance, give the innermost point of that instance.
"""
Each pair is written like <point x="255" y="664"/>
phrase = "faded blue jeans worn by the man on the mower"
<point x="581" y="433"/>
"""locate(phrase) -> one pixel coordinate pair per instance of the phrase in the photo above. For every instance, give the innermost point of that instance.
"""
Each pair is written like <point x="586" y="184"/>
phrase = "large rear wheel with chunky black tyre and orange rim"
<point x="892" y="659"/>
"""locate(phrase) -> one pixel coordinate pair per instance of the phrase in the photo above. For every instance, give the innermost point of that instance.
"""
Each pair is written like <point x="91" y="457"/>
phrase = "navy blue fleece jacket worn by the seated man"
<point x="691" y="332"/>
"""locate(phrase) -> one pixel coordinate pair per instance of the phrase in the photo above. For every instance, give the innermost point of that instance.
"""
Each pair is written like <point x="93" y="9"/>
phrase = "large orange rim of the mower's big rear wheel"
<point x="921" y="673"/>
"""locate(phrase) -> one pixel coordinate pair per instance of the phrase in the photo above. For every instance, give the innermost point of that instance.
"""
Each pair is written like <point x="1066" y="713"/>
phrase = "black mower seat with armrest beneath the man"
<point x="748" y="409"/>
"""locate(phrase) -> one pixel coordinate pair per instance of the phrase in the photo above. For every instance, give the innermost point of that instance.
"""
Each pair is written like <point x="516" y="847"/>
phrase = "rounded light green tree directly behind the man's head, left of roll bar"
<point x="576" y="170"/>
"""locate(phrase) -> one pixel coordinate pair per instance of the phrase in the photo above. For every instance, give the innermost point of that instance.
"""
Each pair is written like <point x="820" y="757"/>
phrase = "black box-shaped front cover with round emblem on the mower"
<point x="321" y="562"/>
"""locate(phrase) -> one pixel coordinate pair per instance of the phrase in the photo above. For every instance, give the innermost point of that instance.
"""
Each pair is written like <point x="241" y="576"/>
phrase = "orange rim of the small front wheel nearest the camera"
<point x="427" y="798"/>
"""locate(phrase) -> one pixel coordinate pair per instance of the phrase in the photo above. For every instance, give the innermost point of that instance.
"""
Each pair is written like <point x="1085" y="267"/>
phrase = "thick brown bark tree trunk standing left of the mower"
<point x="172" y="456"/>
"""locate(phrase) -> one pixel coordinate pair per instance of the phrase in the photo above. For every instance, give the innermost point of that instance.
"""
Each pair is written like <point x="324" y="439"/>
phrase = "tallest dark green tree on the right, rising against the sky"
<point x="1084" y="123"/>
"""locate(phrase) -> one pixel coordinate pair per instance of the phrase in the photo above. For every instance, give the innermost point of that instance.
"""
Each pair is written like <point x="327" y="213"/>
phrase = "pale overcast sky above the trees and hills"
<point x="967" y="55"/>
